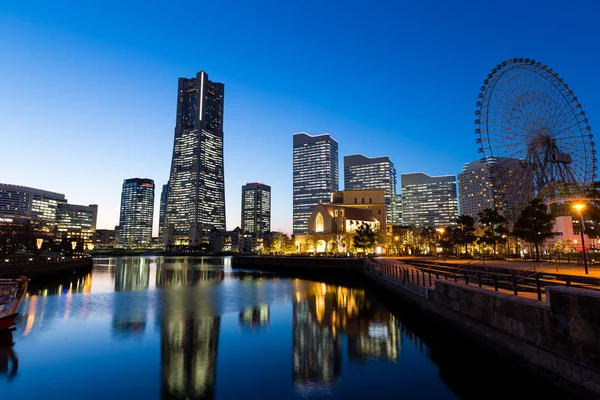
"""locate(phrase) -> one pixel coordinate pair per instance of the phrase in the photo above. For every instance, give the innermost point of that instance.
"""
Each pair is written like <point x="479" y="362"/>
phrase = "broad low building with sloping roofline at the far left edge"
<point x="25" y="202"/>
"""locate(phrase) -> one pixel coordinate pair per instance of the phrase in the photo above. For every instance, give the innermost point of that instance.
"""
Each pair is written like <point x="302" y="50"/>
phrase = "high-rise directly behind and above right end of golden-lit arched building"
<point x="362" y="172"/>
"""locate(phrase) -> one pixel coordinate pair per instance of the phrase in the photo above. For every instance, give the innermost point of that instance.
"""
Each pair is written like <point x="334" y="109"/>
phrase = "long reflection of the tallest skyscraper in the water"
<point x="189" y="332"/>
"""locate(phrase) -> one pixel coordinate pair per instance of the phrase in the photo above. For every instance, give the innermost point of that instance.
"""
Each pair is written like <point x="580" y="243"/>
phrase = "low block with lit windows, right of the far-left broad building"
<point x="76" y="223"/>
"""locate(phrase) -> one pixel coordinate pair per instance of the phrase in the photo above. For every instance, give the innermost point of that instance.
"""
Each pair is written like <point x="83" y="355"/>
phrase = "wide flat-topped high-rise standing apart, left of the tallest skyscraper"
<point x="137" y="210"/>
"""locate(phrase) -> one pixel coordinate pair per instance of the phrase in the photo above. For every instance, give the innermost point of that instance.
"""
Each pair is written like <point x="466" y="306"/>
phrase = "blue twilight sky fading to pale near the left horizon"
<point x="88" y="88"/>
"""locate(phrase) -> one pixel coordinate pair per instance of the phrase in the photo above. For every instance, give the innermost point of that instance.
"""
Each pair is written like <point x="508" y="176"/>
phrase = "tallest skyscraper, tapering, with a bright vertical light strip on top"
<point x="196" y="194"/>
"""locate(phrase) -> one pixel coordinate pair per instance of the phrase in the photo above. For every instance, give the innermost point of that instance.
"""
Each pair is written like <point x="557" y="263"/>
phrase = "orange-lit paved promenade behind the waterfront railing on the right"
<point x="561" y="268"/>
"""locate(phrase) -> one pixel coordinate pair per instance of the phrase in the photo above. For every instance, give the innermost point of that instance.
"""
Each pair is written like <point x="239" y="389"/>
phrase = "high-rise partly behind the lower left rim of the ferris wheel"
<point x="476" y="191"/>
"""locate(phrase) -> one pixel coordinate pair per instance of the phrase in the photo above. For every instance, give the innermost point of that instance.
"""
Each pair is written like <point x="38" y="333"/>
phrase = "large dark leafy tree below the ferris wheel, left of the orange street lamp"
<point x="535" y="224"/>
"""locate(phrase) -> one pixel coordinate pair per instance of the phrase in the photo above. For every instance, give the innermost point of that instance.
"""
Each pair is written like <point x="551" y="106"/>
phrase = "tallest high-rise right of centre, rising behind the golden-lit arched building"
<point x="316" y="175"/>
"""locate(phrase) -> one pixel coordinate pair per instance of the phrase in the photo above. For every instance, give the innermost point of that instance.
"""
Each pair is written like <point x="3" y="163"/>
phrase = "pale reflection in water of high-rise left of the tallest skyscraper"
<point x="129" y="317"/>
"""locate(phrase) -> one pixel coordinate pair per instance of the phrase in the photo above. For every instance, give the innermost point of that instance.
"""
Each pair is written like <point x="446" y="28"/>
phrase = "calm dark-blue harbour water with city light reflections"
<point x="150" y="328"/>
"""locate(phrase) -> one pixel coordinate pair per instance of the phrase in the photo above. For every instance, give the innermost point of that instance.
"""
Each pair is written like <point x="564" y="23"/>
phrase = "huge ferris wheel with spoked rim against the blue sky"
<point x="533" y="133"/>
